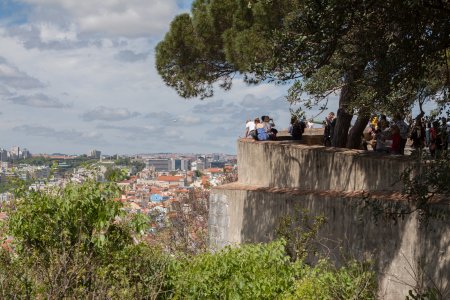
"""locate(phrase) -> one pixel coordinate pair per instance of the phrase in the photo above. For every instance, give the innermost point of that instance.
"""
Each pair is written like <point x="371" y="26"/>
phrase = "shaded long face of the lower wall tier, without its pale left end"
<point x="352" y="231"/>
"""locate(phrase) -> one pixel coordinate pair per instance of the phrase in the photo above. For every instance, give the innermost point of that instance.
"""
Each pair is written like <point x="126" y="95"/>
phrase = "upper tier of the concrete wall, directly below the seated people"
<point x="293" y="165"/>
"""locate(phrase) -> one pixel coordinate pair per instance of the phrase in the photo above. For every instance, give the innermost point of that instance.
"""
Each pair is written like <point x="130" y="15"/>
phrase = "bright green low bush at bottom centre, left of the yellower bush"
<point x="248" y="272"/>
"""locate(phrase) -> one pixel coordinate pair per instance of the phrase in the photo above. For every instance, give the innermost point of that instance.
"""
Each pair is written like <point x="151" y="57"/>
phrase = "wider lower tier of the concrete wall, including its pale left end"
<point x="240" y="214"/>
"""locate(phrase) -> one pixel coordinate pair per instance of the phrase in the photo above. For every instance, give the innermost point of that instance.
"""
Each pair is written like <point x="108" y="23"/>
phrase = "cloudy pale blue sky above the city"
<point x="77" y="75"/>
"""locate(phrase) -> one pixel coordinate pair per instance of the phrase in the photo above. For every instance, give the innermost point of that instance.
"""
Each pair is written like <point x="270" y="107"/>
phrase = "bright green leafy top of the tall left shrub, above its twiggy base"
<point x="79" y="213"/>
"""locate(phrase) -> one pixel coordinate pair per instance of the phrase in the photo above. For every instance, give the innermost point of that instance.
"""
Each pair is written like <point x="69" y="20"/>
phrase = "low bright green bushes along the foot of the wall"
<point x="263" y="271"/>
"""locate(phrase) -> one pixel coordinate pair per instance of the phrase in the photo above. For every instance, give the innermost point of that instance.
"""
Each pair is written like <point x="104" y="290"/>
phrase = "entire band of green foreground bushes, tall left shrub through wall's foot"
<point x="78" y="243"/>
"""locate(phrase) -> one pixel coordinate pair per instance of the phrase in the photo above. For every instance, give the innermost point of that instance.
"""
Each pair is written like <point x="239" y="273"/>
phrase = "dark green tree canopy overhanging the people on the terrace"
<point x="380" y="55"/>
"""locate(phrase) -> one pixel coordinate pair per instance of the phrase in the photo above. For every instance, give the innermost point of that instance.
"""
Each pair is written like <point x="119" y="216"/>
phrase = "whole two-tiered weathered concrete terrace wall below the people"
<point x="276" y="178"/>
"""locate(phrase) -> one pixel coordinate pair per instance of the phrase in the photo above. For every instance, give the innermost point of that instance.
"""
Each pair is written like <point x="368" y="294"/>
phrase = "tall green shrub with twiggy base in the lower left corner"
<point x="77" y="242"/>
